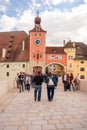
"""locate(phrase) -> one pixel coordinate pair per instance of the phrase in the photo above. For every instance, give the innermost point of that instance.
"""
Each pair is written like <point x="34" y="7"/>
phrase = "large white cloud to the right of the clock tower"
<point x="66" y="25"/>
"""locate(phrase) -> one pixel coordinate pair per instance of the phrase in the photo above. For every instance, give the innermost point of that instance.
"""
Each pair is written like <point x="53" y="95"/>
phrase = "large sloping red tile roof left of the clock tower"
<point x="12" y="42"/>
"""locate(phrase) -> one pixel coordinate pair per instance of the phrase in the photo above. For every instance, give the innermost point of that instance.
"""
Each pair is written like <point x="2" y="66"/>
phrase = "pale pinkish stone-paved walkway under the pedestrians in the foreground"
<point x="19" y="111"/>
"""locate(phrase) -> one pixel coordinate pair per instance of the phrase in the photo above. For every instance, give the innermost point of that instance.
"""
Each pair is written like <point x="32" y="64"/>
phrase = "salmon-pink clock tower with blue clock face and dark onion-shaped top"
<point x="37" y="47"/>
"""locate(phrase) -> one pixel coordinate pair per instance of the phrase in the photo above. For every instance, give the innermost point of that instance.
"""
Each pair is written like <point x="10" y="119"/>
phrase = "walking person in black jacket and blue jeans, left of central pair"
<point x="37" y="80"/>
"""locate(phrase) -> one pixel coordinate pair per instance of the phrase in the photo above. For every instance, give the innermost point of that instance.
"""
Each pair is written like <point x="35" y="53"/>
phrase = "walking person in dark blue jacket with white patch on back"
<point x="51" y="83"/>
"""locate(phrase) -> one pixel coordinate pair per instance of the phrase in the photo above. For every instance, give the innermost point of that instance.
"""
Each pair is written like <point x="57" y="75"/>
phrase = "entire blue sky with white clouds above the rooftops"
<point x="62" y="19"/>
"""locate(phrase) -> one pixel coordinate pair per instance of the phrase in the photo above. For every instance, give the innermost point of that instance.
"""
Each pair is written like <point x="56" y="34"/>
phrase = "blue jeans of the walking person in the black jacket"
<point x="37" y="92"/>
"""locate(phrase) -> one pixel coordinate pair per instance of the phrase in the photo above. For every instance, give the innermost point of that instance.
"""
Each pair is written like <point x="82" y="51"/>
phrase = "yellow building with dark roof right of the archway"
<point x="76" y="59"/>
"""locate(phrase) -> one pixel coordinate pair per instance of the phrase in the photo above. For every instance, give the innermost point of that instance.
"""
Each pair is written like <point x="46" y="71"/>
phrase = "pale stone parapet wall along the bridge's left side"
<point x="5" y="86"/>
